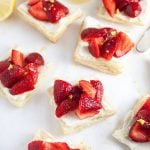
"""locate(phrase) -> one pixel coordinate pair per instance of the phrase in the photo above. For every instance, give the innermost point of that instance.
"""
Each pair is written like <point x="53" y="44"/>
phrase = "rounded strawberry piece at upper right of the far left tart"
<point x="35" y="58"/>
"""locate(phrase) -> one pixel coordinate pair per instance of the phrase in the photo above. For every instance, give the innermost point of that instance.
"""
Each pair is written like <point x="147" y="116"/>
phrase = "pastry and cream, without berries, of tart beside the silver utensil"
<point x="83" y="56"/>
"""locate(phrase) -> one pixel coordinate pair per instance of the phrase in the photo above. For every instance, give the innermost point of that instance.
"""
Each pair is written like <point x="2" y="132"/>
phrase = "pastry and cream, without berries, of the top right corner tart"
<point x="142" y="18"/>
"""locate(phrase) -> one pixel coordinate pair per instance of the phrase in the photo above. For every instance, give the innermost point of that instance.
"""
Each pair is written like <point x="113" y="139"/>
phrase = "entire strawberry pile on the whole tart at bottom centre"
<point x="84" y="98"/>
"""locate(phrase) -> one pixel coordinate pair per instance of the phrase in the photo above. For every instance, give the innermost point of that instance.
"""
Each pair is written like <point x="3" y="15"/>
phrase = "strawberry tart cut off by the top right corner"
<point x="131" y="12"/>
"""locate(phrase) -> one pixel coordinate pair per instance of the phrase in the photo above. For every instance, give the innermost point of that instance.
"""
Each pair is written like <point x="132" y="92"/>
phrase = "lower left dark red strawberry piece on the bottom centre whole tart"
<point x="66" y="106"/>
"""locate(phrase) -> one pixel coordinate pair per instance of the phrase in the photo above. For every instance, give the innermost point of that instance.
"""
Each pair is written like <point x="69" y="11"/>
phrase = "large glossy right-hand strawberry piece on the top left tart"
<point x="54" y="10"/>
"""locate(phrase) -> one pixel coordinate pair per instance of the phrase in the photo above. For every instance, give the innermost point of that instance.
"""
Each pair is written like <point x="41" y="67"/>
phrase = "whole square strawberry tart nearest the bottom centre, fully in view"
<point x="80" y="105"/>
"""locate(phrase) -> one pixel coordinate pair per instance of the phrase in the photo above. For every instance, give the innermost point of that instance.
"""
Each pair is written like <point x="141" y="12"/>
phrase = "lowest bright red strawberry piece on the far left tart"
<point x="24" y="85"/>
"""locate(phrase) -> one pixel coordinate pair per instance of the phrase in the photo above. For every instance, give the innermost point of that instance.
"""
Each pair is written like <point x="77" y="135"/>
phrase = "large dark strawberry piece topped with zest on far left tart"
<point x="11" y="75"/>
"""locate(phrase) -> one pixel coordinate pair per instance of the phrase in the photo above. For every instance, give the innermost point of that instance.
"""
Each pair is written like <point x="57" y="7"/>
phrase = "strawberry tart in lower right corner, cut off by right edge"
<point x="135" y="130"/>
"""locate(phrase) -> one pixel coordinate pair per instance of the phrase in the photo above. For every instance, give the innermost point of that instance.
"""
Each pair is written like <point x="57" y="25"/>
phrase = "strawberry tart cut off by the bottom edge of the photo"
<point x="45" y="141"/>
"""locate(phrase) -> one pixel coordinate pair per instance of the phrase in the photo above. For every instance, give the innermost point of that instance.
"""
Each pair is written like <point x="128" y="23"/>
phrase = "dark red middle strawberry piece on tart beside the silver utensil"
<point x="109" y="48"/>
